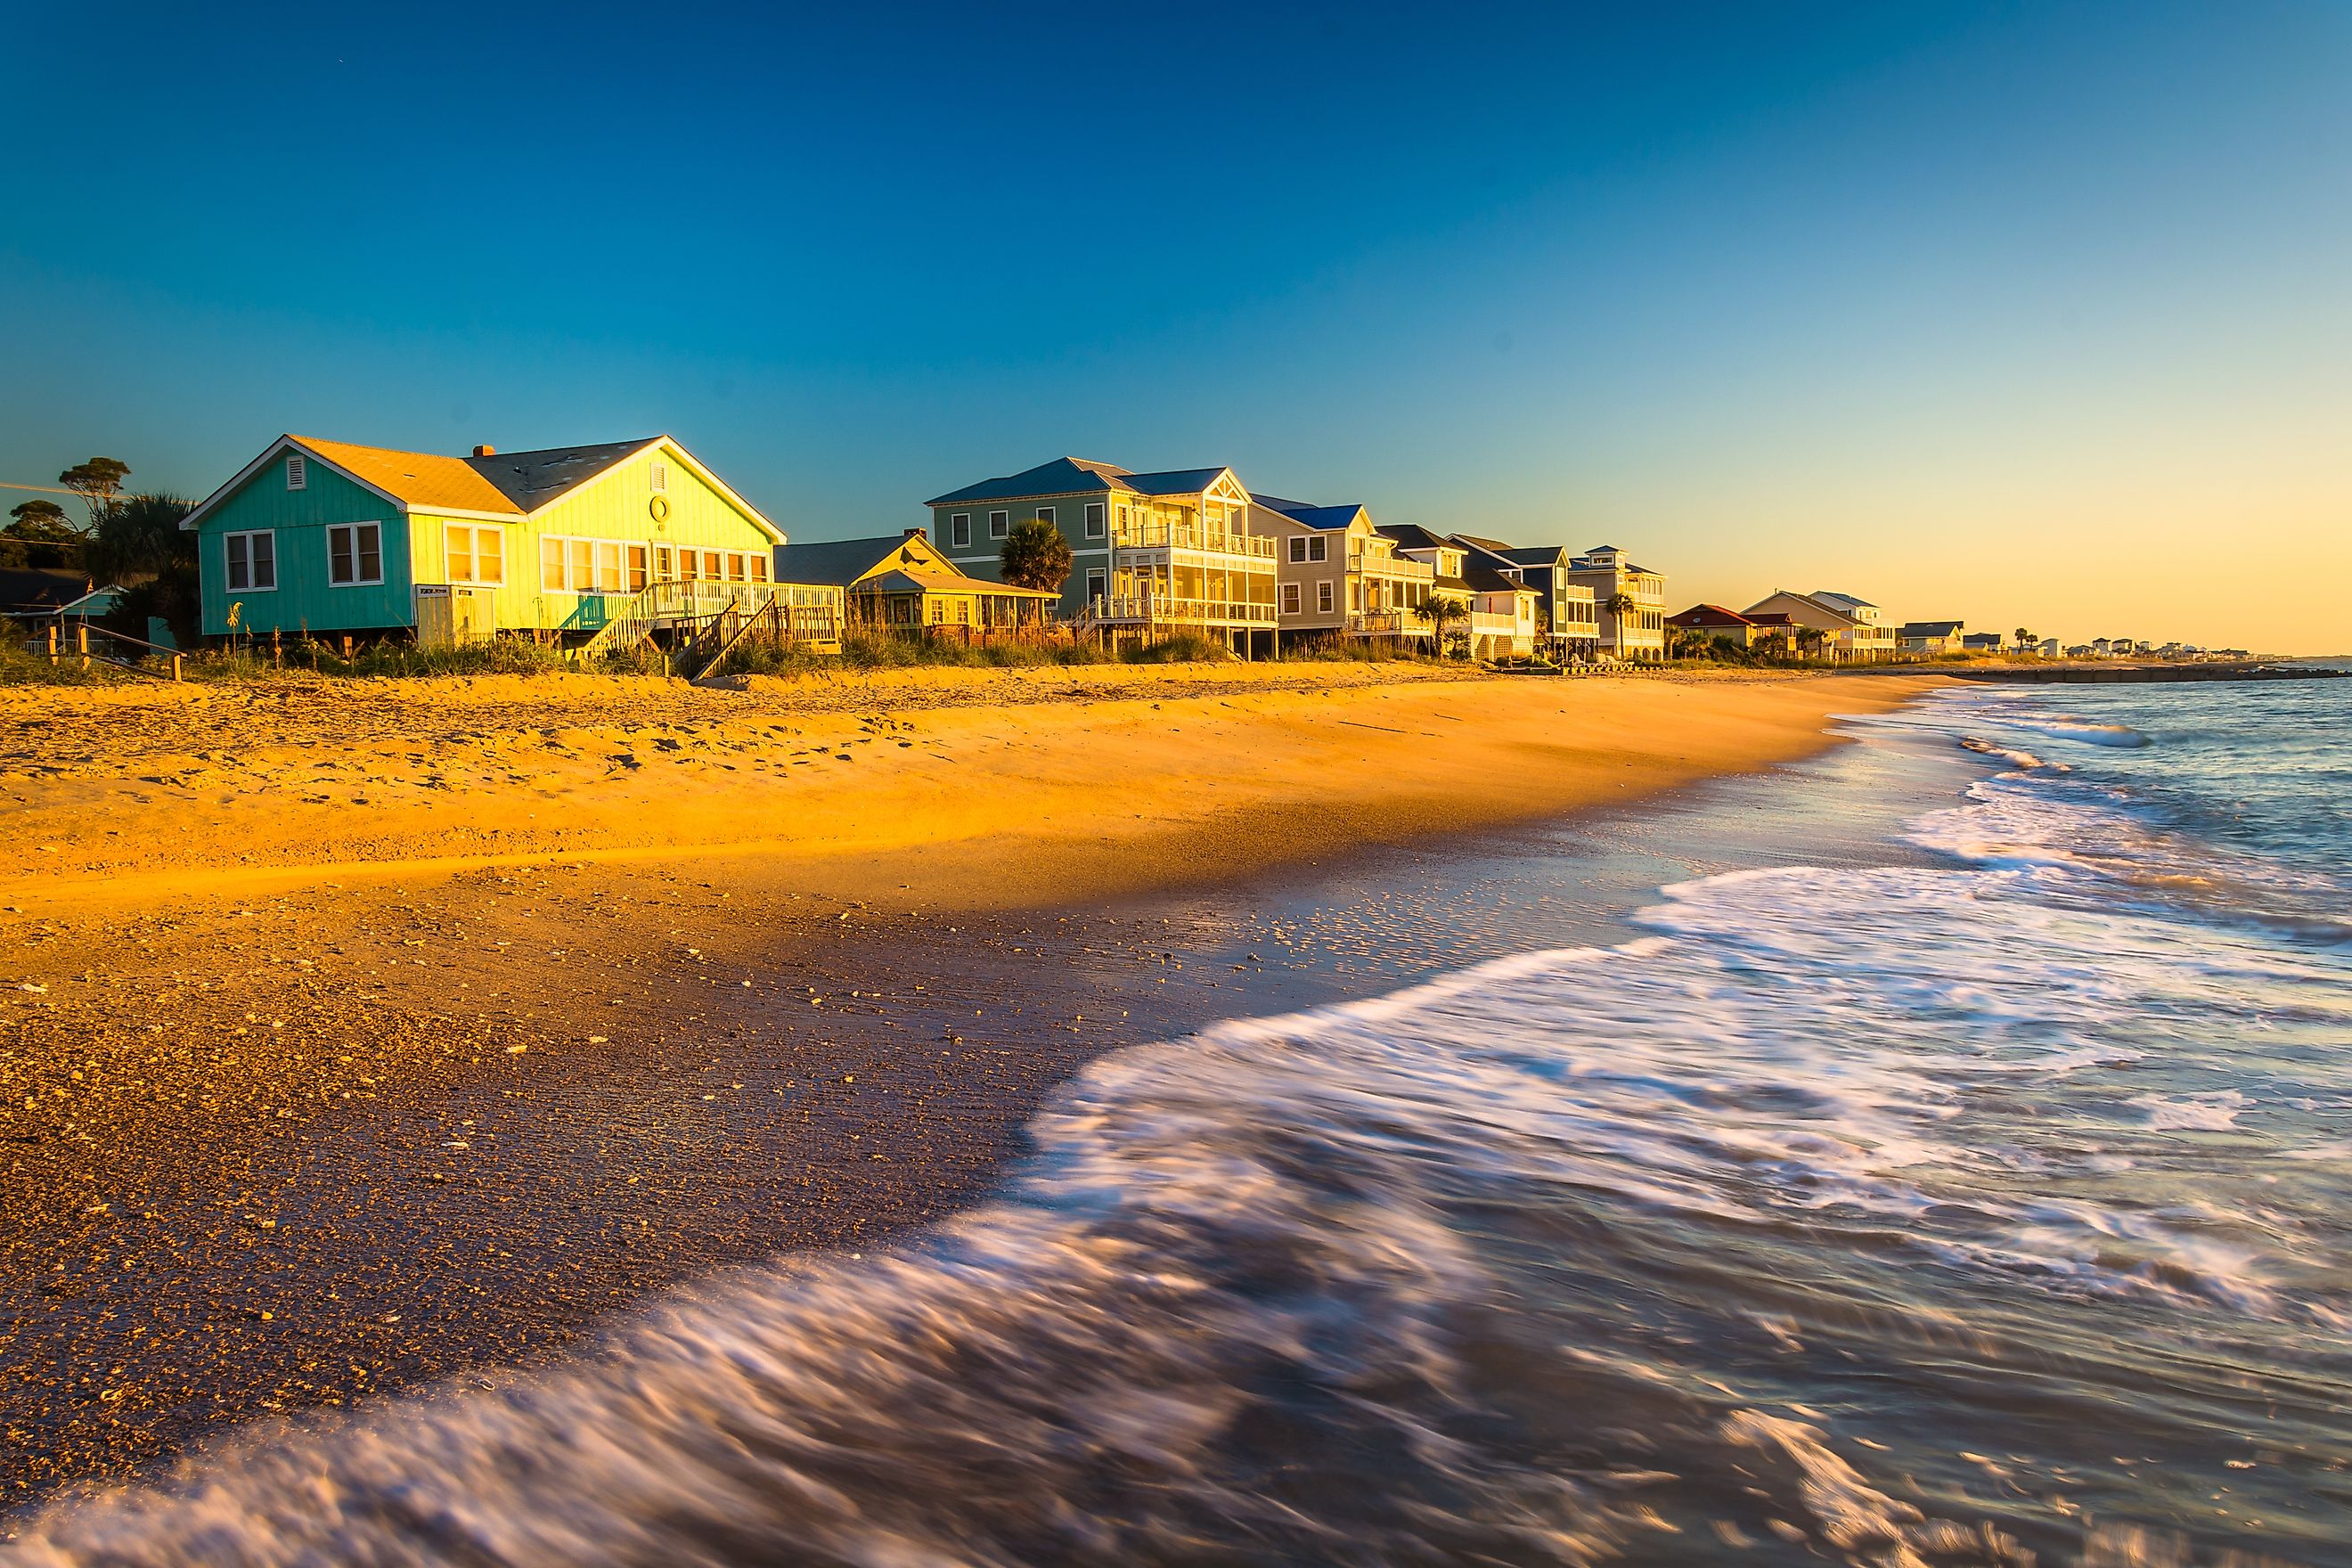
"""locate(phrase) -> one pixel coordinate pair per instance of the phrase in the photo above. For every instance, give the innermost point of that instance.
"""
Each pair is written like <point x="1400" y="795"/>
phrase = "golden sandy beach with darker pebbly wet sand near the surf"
<point x="361" y="1036"/>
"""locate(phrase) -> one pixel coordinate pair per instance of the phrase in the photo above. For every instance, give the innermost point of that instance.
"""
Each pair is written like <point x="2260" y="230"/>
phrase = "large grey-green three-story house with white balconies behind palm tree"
<point x="1151" y="551"/>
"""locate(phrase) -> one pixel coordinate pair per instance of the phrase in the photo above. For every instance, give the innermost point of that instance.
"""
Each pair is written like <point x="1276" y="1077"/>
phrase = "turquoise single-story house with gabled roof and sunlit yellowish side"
<point x="326" y="537"/>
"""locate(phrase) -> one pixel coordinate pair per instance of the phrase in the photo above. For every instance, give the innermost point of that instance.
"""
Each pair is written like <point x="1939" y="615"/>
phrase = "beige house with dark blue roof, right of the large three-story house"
<point x="1339" y="575"/>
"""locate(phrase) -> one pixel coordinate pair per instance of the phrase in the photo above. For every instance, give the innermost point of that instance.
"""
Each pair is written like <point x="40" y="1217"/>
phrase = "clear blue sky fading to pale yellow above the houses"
<point x="2024" y="314"/>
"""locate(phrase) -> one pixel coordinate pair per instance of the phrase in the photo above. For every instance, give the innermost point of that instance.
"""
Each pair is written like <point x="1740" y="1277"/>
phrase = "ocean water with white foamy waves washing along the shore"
<point x="1972" y="1193"/>
